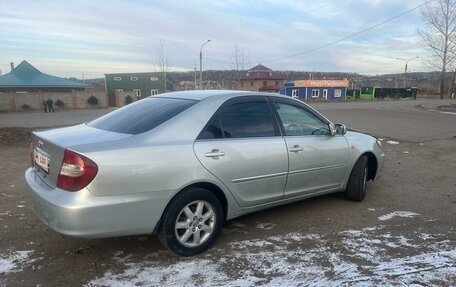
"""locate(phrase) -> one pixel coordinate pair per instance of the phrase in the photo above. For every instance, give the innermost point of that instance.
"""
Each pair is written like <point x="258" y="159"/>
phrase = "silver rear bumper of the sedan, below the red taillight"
<point x="81" y="214"/>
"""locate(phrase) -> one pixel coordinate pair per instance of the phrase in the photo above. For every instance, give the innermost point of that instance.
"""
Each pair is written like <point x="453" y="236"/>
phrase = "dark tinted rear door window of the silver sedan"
<point x="240" y="120"/>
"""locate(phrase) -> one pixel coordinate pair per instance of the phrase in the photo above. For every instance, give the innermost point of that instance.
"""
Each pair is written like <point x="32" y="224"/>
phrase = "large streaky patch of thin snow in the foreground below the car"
<point x="365" y="257"/>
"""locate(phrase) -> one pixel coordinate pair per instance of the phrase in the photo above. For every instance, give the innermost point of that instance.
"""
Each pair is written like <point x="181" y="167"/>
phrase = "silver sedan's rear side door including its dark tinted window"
<point x="241" y="145"/>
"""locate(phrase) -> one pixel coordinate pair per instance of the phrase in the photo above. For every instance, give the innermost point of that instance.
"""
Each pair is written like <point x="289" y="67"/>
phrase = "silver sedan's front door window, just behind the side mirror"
<point x="297" y="121"/>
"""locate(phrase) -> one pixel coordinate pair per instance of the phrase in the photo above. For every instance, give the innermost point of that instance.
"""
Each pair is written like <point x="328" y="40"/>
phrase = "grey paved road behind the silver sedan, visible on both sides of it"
<point x="399" y="120"/>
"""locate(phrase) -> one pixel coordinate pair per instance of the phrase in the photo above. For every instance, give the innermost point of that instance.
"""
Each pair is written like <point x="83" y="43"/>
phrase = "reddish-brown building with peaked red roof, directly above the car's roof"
<point x="262" y="79"/>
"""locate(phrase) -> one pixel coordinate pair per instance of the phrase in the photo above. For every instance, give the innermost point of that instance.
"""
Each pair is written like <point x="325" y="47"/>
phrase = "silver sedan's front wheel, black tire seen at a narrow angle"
<point x="357" y="182"/>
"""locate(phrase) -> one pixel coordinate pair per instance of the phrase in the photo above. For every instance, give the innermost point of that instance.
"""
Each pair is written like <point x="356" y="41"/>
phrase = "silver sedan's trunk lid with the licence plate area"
<point x="48" y="147"/>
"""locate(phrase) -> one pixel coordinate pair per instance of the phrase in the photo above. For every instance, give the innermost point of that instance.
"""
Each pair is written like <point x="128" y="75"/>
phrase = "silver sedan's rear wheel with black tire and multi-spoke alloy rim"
<point x="192" y="222"/>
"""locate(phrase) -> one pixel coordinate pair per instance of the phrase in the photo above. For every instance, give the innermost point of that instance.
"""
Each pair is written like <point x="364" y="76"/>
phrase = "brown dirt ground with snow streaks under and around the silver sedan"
<point x="402" y="234"/>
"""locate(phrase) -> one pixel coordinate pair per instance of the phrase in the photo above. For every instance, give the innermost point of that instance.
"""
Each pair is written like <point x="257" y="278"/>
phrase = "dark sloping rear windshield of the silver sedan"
<point x="141" y="116"/>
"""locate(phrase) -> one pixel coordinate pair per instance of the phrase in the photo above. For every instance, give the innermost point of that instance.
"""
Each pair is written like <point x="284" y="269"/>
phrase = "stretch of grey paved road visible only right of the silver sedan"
<point x="399" y="120"/>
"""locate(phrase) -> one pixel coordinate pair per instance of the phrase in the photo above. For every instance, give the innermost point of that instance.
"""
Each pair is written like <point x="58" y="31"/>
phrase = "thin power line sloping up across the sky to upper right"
<point x="333" y="42"/>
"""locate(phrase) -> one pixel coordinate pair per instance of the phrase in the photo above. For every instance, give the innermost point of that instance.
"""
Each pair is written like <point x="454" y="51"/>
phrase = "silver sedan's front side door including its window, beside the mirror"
<point x="317" y="160"/>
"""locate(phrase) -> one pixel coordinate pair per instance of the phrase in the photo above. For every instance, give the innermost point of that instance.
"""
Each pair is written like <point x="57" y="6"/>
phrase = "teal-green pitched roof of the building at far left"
<point x="26" y="78"/>
